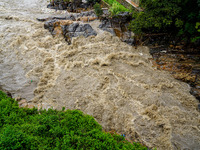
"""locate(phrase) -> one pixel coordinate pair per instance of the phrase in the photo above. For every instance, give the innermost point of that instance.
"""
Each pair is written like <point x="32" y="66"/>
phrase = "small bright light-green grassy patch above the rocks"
<point x="116" y="7"/>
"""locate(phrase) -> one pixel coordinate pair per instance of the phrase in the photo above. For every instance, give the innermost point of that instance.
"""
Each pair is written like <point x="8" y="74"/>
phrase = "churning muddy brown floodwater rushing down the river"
<point x="101" y="76"/>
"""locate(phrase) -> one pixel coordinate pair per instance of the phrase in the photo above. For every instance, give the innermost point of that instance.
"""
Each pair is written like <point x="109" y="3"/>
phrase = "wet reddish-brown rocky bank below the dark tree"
<point x="183" y="64"/>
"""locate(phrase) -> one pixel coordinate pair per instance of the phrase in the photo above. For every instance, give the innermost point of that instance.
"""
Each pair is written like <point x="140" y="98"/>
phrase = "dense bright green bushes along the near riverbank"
<point x="23" y="128"/>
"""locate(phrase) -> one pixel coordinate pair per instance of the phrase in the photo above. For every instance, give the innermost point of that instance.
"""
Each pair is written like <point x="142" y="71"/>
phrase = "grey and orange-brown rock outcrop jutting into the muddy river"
<point x="72" y="25"/>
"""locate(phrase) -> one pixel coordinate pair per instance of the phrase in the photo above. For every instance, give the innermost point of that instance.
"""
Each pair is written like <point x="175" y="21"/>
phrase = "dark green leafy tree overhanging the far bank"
<point x="179" y="17"/>
